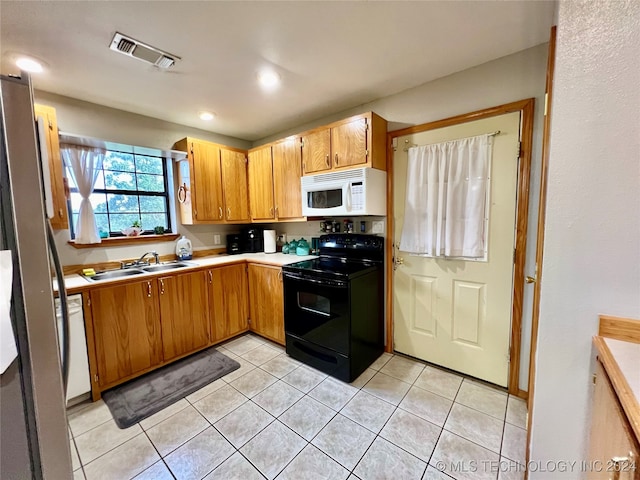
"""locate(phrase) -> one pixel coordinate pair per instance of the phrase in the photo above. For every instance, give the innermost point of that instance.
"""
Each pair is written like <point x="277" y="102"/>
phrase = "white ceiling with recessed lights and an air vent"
<point x="331" y="55"/>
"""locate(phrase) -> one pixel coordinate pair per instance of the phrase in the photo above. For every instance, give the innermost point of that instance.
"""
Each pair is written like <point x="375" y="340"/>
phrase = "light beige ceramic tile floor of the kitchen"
<point x="276" y="418"/>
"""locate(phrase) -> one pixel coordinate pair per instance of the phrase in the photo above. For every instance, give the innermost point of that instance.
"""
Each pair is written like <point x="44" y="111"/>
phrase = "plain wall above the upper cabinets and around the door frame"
<point x="515" y="77"/>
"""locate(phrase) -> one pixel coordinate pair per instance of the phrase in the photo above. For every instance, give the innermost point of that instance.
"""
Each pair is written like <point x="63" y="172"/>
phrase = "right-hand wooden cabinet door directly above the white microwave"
<point x="349" y="143"/>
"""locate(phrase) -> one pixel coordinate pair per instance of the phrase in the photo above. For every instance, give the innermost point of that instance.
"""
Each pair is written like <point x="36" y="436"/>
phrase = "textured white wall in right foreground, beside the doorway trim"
<point x="592" y="237"/>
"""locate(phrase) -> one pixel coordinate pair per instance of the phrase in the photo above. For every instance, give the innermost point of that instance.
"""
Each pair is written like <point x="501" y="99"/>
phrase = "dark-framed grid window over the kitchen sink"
<point x="130" y="188"/>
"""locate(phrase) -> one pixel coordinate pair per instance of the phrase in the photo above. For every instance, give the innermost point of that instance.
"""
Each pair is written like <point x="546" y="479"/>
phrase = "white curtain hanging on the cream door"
<point x="444" y="213"/>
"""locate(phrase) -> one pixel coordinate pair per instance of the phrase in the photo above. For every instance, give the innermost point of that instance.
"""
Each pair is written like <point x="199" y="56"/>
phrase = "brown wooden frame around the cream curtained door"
<point x="526" y="108"/>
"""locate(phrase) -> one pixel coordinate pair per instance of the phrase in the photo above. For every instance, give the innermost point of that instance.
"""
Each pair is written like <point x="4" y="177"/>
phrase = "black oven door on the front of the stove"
<point x="317" y="310"/>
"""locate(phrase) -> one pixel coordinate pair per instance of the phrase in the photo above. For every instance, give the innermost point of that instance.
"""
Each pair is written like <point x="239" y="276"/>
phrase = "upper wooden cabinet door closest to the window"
<point x="207" y="182"/>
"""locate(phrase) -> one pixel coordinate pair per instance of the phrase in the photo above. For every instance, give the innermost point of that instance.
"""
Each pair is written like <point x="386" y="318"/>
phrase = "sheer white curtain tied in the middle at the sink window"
<point x="85" y="164"/>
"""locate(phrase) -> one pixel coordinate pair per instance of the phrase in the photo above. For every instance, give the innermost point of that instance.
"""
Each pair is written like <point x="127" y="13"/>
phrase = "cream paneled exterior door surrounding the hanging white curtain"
<point x="457" y="313"/>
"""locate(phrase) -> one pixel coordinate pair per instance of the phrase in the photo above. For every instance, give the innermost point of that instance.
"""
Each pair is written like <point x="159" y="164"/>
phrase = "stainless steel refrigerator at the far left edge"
<point x="34" y="440"/>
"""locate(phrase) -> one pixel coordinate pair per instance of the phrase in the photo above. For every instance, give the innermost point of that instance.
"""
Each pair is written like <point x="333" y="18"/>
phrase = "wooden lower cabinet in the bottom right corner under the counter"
<point x="611" y="436"/>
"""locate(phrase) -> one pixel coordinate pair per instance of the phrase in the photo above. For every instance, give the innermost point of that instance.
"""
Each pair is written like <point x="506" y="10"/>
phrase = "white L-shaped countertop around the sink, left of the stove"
<point x="75" y="283"/>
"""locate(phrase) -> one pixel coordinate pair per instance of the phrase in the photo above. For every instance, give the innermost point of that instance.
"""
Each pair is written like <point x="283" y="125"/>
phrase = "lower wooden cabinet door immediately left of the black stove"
<point x="266" y="302"/>
